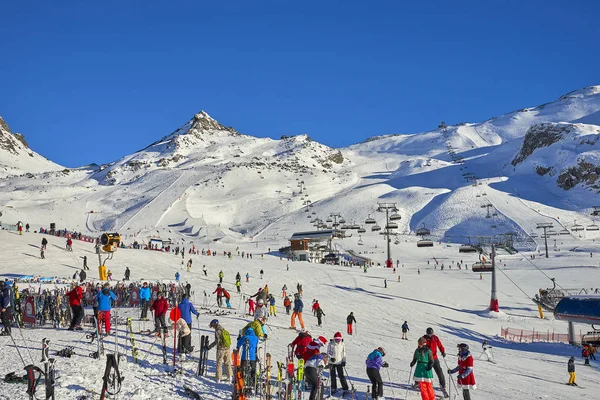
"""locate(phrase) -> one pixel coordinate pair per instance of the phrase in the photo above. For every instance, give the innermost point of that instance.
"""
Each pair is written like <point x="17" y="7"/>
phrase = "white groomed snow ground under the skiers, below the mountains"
<point x="453" y="302"/>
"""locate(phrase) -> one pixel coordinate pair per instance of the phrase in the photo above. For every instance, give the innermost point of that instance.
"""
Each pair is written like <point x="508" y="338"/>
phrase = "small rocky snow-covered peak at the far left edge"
<point x="16" y="158"/>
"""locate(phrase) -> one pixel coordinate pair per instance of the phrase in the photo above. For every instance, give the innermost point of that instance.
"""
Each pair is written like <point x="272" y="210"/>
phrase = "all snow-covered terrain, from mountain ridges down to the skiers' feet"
<point x="206" y="181"/>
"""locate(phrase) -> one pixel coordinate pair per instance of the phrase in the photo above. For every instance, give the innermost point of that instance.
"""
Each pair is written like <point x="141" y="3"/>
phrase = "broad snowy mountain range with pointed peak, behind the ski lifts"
<point x="207" y="181"/>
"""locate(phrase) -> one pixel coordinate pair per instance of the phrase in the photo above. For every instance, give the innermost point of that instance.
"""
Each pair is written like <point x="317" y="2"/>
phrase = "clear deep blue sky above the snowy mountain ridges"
<point x="92" y="81"/>
